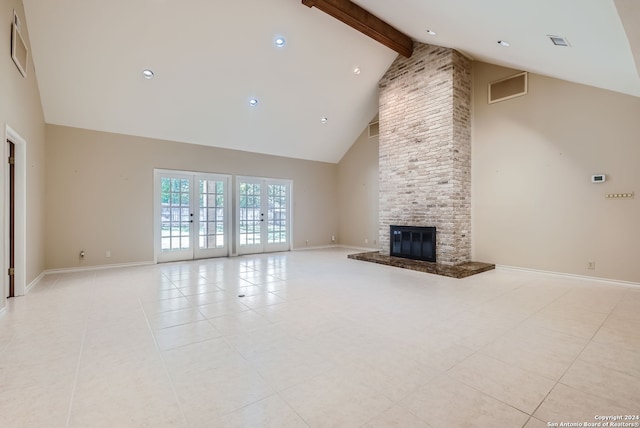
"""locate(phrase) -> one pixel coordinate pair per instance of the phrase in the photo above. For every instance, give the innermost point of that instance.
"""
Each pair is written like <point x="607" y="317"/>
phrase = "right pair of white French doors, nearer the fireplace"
<point x="263" y="215"/>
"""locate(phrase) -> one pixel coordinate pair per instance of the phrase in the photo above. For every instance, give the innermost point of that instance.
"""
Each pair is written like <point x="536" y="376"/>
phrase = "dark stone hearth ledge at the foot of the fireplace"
<point x="462" y="270"/>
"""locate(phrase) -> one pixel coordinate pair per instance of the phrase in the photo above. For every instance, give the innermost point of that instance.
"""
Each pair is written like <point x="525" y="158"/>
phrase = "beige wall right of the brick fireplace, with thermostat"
<point x="534" y="205"/>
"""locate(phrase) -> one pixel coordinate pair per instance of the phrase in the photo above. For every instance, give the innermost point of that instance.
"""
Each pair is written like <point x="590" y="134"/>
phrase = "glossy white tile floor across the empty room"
<point x="317" y="341"/>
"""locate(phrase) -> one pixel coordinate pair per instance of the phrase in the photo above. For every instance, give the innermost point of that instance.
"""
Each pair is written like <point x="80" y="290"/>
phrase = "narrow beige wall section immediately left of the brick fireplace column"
<point x="358" y="194"/>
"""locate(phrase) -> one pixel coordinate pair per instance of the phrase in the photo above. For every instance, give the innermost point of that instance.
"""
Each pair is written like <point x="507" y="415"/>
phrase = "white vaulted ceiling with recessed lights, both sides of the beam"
<point x="211" y="56"/>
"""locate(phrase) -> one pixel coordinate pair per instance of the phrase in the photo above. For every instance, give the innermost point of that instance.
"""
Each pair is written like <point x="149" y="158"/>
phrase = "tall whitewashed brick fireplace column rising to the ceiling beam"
<point x="425" y="149"/>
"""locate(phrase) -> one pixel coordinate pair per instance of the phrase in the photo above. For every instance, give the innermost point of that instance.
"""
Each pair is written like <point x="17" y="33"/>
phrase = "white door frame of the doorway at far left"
<point x="20" y="212"/>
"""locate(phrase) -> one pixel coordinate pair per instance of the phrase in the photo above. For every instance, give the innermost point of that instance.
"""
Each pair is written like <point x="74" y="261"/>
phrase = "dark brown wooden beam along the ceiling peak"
<point x="363" y="21"/>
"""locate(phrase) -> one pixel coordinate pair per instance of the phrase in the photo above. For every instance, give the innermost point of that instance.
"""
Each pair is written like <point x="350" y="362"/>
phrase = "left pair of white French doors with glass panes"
<point x="192" y="213"/>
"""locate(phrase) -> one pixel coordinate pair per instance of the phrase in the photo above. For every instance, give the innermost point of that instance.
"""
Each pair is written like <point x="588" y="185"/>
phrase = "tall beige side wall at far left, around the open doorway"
<point x="20" y="108"/>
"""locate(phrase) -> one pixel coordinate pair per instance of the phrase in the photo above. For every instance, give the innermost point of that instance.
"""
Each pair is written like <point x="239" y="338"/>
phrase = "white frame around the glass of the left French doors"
<point x="157" y="173"/>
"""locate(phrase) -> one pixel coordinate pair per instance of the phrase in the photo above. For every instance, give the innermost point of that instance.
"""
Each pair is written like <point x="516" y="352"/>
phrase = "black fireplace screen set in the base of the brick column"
<point x="418" y="243"/>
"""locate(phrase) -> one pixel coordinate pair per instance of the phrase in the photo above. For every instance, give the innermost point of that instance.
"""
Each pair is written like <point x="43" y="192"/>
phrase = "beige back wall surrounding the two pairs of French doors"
<point x="100" y="193"/>
